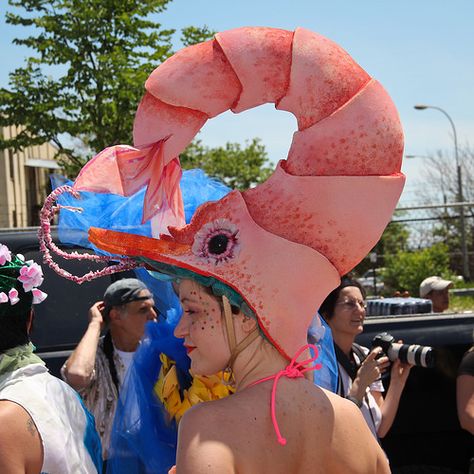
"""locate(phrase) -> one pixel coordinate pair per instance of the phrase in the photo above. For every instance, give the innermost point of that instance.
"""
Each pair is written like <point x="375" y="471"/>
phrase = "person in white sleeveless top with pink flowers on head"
<point x="44" y="427"/>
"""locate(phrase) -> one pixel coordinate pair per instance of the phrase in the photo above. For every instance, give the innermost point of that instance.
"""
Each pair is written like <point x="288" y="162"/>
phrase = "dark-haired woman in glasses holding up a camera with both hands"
<point x="360" y="370"/>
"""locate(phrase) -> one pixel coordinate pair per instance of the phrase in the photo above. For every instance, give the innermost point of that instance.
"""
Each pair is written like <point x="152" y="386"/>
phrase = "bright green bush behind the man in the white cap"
<point x="405" y="270"/>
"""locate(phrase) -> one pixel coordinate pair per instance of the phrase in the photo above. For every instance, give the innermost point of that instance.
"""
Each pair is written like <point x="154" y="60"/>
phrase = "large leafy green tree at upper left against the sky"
<point x="85" y="78"/>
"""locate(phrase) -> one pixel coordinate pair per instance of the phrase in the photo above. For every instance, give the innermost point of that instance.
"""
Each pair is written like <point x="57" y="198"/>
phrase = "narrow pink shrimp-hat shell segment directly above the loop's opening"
<point x="261" y="58"/>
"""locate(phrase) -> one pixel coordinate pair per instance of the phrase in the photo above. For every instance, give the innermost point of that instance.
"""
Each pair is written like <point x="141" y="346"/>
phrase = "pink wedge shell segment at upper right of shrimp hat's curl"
<point x="323" y="78"/>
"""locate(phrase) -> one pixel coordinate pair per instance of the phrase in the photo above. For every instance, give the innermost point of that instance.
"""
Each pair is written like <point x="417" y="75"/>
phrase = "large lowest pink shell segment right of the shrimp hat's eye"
<point x="340" y="217"/>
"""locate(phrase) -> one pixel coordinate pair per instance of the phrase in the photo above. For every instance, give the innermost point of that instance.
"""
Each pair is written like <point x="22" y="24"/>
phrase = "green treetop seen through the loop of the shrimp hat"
<point x="238" y="167"/>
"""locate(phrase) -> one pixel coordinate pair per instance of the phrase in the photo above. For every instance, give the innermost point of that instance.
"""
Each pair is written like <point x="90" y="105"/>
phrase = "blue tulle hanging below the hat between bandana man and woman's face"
<point x="143" y="440"/>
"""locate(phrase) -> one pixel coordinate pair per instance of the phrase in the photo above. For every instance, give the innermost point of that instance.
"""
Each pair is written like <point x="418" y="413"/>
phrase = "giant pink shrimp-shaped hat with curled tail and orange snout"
<point x="284" y="244"/>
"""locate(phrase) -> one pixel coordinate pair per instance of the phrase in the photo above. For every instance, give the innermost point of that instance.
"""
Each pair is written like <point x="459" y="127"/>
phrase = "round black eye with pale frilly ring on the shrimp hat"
<point x="217" y="241"/>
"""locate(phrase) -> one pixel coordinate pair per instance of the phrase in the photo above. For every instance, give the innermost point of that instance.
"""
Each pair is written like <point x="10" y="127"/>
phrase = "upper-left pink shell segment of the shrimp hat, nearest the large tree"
<point x="198" y="77"/>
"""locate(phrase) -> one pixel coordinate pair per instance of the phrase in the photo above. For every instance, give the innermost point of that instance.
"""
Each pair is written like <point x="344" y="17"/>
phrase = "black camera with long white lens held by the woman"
<point x="422" y="356"/>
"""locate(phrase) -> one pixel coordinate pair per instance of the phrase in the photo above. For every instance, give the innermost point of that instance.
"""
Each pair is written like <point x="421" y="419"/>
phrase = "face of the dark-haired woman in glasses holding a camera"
<point x="349" y="312"/>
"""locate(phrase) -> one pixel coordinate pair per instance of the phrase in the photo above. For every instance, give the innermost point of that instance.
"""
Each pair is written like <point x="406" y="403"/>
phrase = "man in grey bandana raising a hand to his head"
<point x="98" y="365"/>
